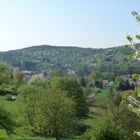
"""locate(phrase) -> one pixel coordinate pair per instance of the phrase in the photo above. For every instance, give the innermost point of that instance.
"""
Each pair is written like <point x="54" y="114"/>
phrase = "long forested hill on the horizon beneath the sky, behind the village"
<point x="71" y="59"/>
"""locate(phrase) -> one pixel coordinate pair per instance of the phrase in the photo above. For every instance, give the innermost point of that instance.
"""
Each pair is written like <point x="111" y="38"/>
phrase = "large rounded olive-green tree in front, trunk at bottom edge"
<point x="55" y="114"/>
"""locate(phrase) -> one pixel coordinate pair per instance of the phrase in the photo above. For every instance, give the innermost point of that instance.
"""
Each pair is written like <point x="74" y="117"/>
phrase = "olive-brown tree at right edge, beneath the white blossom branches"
<point x="128" y="120"/>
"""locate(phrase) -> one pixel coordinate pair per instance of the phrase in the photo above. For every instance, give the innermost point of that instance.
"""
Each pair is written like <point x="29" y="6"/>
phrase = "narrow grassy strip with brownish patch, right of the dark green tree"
<point x="97" y="114"/>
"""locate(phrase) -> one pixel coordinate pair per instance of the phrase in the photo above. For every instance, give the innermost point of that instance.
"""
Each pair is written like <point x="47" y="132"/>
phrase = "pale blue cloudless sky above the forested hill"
<point x="82" y="23"/>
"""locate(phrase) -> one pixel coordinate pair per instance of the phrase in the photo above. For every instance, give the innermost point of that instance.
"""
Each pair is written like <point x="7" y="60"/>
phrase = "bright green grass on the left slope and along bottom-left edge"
<point x="14" y="107"/>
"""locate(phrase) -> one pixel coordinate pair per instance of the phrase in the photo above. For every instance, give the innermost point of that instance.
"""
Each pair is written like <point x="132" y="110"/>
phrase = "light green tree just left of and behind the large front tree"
<point x="29" y="94"/>
